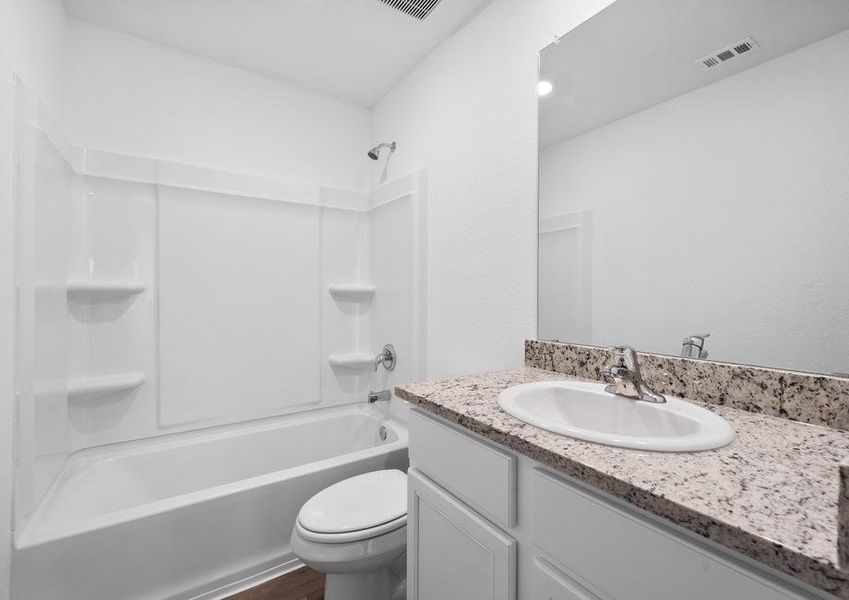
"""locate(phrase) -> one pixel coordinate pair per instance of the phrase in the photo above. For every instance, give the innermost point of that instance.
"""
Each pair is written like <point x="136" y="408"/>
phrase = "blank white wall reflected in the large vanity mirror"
<point x="722" y="210"/>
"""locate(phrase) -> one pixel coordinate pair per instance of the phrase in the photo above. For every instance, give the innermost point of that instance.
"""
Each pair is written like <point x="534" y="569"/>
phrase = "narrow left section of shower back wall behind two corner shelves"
<point x="113" y="335"/>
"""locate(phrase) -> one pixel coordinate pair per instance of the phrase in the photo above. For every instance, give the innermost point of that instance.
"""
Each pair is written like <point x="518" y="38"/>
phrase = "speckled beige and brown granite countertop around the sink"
<point x="771" y="495"/>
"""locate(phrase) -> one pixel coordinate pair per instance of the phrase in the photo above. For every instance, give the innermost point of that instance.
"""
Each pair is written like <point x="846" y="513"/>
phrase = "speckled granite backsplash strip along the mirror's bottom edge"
<point x="809" y="398"/>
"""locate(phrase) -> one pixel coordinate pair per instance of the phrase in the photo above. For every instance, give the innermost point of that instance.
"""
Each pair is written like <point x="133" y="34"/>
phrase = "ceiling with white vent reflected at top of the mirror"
<point x="638" y="53"/>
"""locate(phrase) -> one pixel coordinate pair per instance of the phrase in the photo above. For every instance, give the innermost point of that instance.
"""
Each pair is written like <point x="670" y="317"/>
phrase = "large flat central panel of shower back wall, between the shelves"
<point x="238" y="307"/>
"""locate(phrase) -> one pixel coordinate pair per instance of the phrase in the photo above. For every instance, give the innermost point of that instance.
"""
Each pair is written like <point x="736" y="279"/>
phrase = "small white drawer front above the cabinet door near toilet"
<point x="481" y="475"/>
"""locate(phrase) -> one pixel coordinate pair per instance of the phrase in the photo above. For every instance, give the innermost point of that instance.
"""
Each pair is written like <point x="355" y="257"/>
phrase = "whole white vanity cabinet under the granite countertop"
<point x="487" y="523"/>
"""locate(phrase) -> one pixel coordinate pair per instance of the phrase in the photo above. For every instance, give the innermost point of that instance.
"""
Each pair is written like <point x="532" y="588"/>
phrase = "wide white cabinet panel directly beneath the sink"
<point x="628" y="557"/>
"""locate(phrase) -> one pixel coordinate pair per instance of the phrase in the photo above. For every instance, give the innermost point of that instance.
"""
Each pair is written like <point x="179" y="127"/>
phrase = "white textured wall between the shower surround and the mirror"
<point x="468" y="113"/>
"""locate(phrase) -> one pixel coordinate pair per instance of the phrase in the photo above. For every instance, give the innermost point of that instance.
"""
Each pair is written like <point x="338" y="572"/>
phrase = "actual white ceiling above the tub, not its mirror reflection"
<point x="351" y="49"/>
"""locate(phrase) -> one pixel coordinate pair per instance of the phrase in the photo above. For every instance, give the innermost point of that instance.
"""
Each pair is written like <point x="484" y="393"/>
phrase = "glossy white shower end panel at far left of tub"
<point x="44" y="249"/>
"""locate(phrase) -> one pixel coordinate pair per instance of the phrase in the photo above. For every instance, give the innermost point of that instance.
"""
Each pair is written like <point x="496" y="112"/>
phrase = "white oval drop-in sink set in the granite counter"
<point x="583" y="410"/>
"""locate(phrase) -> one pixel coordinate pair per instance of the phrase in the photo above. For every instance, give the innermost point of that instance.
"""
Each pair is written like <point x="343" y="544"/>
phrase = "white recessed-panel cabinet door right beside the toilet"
<point x="453" y="553"/>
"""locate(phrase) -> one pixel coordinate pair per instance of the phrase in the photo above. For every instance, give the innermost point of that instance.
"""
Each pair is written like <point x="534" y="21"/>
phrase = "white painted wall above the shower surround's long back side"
<point x="130" y="96"/>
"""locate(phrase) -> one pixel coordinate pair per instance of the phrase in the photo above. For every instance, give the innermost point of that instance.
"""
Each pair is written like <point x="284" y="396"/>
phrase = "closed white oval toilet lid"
<point x="362" y="502"/>
